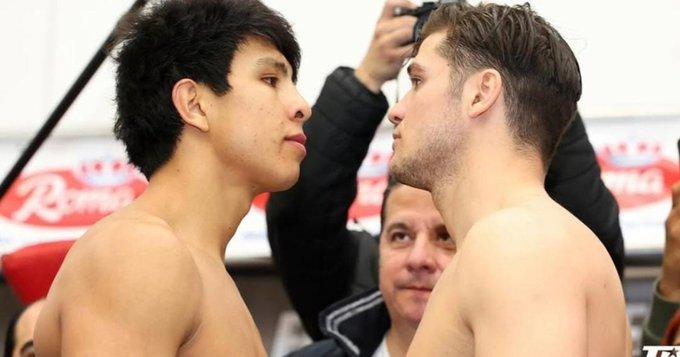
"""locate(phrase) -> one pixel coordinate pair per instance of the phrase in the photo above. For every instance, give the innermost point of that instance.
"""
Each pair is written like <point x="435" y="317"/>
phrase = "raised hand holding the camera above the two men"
<point x="391" y="44"/>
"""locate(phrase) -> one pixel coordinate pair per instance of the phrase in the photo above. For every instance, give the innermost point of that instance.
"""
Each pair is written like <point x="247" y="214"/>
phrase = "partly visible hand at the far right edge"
<point x="669" y="284"/>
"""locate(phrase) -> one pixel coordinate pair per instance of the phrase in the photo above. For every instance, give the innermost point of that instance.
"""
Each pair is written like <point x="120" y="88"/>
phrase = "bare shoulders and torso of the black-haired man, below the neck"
<point x="132" y="286"/>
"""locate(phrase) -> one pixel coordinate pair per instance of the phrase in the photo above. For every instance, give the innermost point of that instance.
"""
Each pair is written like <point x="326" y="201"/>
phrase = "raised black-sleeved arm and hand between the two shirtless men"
<point x="315" y="253"/>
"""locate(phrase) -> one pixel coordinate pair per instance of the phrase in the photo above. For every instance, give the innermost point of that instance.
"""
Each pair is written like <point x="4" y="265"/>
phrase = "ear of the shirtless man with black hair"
<point x="185" y="97"/>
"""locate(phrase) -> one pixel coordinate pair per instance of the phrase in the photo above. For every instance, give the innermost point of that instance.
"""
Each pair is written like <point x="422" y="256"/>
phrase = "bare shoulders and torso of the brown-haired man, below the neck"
<point x="528" y="280"/>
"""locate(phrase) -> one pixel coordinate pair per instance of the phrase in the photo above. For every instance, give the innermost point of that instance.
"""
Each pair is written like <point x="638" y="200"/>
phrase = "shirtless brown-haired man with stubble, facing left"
<point x="494" y="88"/>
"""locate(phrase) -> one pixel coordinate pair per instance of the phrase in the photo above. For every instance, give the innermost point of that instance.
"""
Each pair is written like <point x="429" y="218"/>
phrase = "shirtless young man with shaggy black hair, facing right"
<point x="209" y="112"/>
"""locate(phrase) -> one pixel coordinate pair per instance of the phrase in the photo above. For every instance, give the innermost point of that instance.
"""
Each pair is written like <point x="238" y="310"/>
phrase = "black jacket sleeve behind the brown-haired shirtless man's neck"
<point x="574" y="168"/>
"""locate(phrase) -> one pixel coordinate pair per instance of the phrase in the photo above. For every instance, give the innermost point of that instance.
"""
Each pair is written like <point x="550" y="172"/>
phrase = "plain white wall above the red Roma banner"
<point x="629" y="54"/>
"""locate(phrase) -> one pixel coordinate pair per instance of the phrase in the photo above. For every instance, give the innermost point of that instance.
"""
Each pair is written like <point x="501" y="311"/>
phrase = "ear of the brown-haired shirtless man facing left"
<point x="485" y="89"/>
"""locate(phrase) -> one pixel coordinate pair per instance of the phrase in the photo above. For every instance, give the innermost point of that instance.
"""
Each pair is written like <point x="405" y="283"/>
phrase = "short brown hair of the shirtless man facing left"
<point x="541" y="77"/>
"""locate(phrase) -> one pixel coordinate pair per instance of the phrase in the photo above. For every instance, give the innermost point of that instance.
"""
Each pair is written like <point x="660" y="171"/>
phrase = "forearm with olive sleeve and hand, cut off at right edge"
<point x="666" y="299"/>
